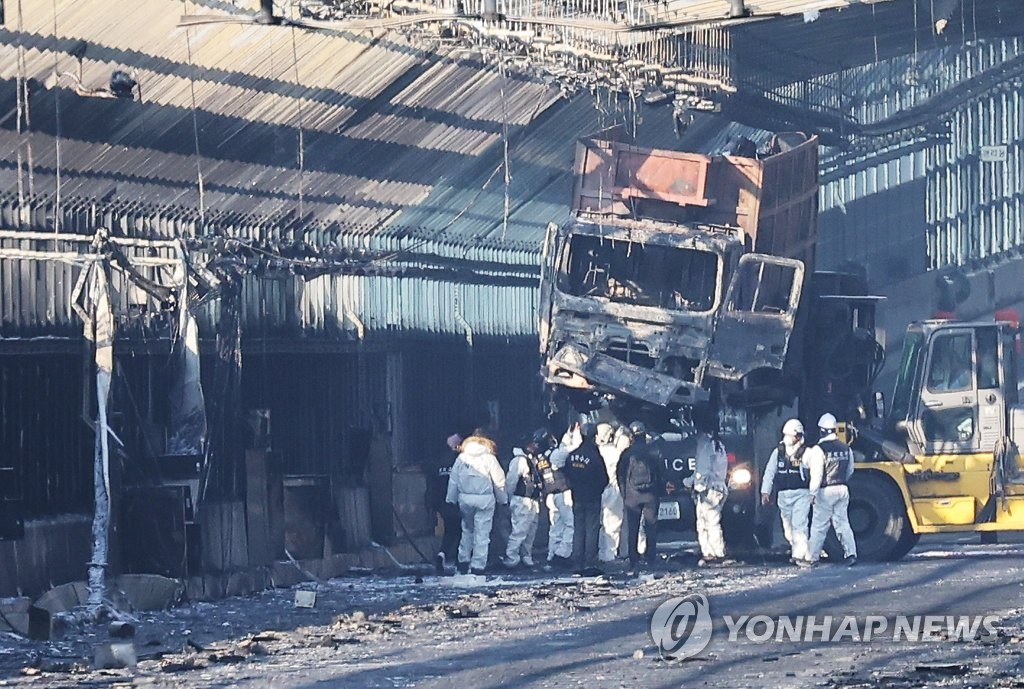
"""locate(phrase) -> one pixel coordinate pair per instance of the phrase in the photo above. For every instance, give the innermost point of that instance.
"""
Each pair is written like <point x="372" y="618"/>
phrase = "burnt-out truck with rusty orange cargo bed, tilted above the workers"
<point x="686" y="280"/>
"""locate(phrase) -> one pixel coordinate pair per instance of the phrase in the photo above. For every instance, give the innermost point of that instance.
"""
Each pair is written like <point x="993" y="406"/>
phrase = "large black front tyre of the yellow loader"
<point x="878" y="519"/>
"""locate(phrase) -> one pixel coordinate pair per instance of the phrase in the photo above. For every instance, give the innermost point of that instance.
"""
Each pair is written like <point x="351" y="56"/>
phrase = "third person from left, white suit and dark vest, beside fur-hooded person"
<point x="525" y="487"/>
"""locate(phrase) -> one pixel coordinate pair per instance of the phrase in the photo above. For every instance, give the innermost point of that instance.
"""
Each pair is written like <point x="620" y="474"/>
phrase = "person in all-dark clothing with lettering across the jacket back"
<point x="587" y="478"/>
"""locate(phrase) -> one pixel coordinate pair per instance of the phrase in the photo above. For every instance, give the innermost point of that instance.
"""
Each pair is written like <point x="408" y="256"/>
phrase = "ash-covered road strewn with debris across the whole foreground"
<point x="543" y="630"/>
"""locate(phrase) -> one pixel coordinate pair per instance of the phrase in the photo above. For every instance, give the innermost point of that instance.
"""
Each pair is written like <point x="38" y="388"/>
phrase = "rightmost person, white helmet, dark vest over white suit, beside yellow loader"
<point x="831" y="466"/>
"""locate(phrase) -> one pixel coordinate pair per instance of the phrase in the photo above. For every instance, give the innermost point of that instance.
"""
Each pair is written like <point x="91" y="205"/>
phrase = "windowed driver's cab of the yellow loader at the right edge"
<point x="954" y="387"/>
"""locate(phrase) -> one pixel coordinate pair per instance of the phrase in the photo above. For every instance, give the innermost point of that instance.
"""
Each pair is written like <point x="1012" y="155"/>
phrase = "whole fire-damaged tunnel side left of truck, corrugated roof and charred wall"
<point x="277" y="291"/>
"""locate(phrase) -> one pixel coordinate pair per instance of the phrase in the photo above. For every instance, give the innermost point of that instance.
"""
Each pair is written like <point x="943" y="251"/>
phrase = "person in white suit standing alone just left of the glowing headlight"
<point x="710" y="487"/>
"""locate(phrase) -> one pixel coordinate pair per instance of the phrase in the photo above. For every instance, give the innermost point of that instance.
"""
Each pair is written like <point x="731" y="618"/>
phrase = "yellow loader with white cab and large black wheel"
<point x="946" y="457"/>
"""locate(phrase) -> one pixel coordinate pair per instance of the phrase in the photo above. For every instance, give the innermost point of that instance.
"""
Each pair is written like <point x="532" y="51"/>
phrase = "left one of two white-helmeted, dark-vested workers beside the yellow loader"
<point x="787" y="475"/>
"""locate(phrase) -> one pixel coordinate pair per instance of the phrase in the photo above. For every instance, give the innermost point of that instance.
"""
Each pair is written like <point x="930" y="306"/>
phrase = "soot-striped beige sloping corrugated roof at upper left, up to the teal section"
<point x="382" y="121"/>
